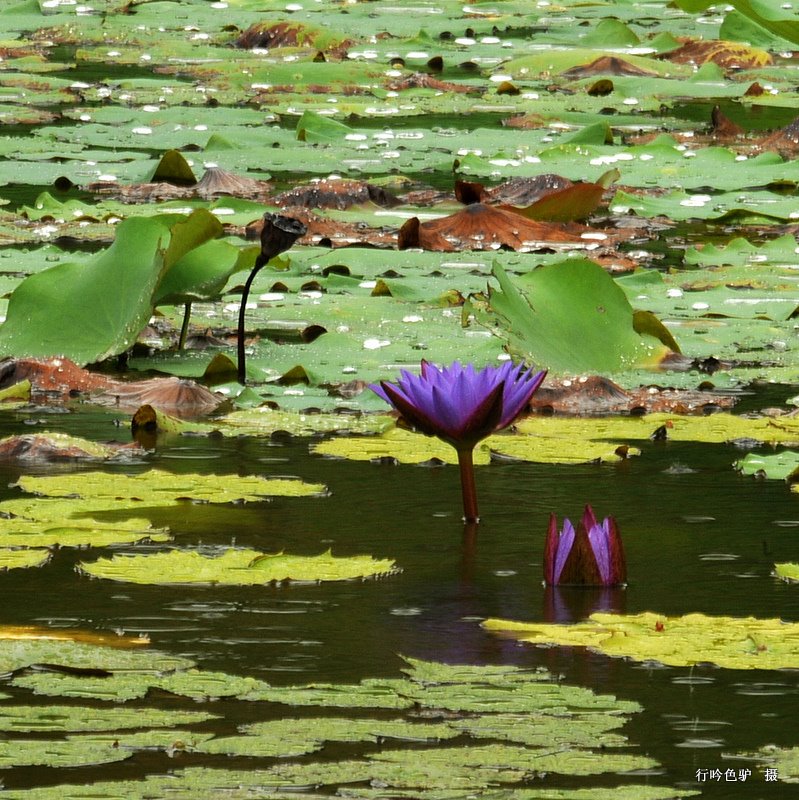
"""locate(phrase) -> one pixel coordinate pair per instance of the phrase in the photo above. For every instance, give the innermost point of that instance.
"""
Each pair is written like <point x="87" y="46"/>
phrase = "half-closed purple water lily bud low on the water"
<point x="591" y="554"/>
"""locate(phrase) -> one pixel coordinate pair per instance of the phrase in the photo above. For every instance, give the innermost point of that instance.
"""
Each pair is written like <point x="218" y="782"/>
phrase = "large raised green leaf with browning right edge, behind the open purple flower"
<point x="569" y="317"/>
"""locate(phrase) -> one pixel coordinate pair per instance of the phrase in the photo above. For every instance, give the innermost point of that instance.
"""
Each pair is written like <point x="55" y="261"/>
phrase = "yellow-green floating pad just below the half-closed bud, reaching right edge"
<point x="728" y="642"/>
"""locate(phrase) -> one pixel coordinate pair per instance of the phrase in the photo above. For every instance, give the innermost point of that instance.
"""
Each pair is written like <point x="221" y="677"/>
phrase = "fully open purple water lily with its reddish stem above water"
<point x="461" y="406"/>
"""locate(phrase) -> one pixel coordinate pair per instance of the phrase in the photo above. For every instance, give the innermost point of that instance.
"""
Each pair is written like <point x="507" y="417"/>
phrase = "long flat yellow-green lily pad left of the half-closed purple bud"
<point x="235" y="568"/>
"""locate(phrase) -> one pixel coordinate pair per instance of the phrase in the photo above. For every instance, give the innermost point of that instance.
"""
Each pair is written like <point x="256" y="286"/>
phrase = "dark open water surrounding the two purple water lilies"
<point x="699" y="537"/>
